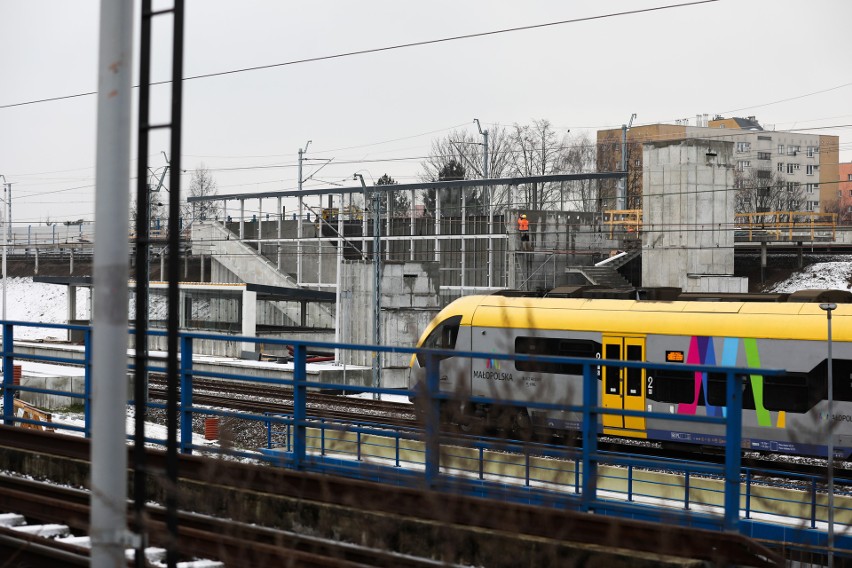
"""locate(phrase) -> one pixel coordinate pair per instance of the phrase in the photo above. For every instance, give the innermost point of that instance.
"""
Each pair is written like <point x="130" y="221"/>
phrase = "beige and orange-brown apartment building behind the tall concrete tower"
<point x="806" y="164"/>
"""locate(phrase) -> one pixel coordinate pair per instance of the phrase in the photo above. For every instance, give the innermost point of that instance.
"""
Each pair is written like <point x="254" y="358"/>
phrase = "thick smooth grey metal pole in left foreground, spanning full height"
<point x="109" y="355"/>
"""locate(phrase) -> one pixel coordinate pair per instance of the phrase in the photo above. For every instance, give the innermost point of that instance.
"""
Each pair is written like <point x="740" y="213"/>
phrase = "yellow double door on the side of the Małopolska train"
<point x="623" y="388"/>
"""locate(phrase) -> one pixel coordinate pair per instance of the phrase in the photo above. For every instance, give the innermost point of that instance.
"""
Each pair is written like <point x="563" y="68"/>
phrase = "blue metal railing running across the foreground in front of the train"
<point x="542" y="474"/>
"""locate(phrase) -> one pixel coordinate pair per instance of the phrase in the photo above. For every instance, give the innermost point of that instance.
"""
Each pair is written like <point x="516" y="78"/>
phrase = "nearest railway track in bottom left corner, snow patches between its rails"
<point x="66" y="514"/>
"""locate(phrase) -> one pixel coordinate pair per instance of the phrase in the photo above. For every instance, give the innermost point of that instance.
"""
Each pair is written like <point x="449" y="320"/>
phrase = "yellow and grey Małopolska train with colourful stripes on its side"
<point x="785" y="414"/>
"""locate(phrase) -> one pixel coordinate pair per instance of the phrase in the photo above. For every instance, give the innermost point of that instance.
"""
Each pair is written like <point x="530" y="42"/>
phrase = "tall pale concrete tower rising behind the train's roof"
<point x="688" y="211"/>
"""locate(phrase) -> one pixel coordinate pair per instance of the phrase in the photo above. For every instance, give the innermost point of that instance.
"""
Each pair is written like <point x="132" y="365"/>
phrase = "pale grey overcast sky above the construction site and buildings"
<point x="785" y="62"/>
